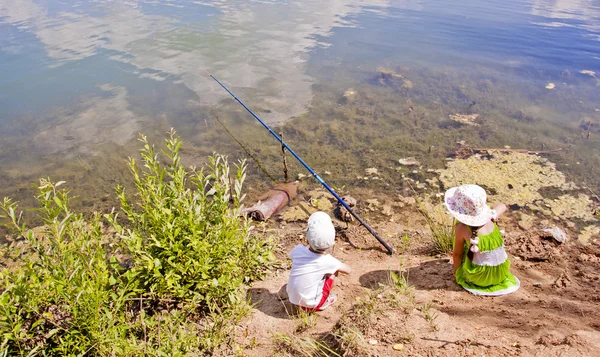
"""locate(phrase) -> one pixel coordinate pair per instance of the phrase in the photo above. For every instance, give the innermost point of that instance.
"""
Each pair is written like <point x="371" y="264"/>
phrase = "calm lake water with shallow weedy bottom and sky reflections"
<point x="352" y="84"/>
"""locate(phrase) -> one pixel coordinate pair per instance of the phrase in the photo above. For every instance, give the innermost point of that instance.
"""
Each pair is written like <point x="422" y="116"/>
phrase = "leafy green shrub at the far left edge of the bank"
<point x="59" y="298"/>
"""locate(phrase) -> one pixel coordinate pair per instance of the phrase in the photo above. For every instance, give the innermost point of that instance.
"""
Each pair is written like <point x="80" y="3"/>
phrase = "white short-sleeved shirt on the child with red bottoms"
<point x="305" y="287"/>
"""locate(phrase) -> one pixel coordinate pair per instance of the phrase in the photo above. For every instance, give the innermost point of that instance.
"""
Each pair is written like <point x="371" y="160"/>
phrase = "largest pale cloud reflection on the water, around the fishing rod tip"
<point x="258" y="48"/>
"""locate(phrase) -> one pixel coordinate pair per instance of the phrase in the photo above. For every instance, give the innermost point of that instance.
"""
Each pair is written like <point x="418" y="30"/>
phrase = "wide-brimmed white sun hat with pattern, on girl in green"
<point x="467" y="203"/>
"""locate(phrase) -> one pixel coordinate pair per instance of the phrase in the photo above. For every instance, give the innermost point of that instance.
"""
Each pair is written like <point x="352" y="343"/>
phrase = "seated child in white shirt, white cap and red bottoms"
<point x="313" y="270"/>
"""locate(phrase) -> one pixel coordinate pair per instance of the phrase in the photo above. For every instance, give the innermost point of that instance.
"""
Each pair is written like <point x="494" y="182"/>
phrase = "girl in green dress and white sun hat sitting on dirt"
<point x="481" y="265"/>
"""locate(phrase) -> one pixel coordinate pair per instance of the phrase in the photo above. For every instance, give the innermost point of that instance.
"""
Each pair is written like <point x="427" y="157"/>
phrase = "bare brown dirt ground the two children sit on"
<point x="555" y="312"/>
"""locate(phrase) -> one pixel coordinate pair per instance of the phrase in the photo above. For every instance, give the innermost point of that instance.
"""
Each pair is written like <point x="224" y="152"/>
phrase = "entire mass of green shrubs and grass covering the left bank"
<point x="166" y="279"/>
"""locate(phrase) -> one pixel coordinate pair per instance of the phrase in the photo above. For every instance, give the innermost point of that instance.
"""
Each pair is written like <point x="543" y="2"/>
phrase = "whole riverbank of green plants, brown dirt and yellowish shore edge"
<point x="405" y="304"/>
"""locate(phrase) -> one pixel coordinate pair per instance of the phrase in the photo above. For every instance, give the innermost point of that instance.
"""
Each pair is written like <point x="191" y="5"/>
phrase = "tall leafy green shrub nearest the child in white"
<point x="185" y="239"/>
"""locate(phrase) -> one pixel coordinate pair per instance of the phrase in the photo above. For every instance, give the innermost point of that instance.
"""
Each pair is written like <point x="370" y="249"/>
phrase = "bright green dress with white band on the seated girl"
<point x="488" y="273"/>
